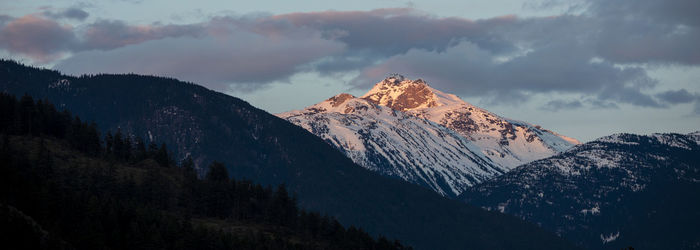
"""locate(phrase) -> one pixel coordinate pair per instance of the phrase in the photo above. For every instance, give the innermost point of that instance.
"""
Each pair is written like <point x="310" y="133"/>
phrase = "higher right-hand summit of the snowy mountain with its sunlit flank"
<point x="505" y="141"/>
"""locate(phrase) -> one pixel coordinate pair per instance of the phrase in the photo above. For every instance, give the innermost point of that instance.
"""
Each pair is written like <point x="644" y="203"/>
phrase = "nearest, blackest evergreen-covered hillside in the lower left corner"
<point x="64" y="186"/>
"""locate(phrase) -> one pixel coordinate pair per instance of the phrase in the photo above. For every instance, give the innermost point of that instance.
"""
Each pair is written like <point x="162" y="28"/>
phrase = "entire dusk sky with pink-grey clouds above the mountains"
<point x="584" y="68"/>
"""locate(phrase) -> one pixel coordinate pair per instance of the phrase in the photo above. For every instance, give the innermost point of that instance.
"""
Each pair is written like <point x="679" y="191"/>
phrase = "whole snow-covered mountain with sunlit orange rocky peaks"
<point x="407" y="129"/>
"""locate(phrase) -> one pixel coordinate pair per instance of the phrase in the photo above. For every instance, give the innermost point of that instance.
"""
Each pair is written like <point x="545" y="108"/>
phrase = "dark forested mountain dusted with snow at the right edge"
<point x="617" y="191"/>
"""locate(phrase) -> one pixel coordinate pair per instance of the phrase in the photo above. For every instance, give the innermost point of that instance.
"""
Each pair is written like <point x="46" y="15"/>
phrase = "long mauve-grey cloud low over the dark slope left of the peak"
<point x="247" y="60"/>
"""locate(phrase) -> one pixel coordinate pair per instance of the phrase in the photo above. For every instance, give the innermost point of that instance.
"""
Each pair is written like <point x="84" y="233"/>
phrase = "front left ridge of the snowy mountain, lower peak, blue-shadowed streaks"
<point x="397" y="144"/>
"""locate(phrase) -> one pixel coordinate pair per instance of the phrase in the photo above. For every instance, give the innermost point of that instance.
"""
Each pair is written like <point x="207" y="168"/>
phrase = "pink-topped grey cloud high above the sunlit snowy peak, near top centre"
<point x="393" y="31"/>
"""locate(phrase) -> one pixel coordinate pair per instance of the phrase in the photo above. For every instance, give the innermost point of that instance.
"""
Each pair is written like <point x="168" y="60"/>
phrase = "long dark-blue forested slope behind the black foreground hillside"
<point x="256" y="145"/>
